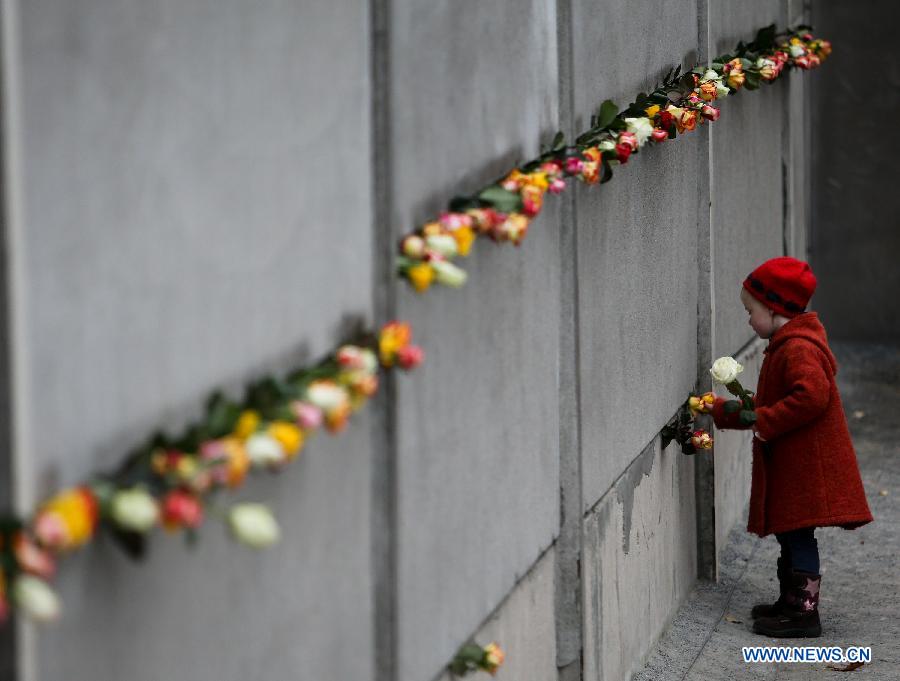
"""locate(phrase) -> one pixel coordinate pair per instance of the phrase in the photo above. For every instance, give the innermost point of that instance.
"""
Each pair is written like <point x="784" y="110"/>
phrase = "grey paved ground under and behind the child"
<point x="860" y="596"/>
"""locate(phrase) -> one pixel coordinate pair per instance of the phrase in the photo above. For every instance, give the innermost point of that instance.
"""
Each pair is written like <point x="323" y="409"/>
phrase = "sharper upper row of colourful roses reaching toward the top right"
<point x="503" y="211"/>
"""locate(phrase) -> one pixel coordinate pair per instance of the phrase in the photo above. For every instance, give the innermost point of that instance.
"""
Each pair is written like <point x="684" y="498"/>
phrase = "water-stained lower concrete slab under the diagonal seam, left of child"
<point x="639" y="561"/>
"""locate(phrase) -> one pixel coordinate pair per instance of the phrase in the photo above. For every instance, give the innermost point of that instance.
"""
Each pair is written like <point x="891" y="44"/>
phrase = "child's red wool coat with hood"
<point x="805" y="474"/>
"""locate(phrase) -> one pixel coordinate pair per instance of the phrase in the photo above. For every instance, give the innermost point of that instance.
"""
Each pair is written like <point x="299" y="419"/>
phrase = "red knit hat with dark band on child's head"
<point x="784" y="285"/>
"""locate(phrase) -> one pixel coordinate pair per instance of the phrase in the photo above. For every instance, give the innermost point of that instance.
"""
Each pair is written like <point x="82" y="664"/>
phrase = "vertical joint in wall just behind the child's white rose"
<point x="704" y="465"/>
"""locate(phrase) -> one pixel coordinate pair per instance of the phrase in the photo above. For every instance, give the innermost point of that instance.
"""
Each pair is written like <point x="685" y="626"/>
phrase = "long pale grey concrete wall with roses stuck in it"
<point x="200" y="192"/>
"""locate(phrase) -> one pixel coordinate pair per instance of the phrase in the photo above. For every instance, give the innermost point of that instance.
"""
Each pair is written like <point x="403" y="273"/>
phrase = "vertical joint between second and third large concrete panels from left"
<point x="568" y="608"/>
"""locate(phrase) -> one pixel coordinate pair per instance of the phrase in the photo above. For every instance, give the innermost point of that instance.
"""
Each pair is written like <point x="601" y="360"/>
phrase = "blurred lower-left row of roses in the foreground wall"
<point x="172" y="482"/>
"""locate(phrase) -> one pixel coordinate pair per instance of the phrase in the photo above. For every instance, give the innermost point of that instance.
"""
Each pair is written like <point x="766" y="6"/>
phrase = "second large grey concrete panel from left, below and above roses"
<point x="474" y="91"/>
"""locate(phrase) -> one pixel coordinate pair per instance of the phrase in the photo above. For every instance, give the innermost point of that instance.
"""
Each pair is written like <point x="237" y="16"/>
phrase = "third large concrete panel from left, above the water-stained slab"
<point x="637" y="244"/>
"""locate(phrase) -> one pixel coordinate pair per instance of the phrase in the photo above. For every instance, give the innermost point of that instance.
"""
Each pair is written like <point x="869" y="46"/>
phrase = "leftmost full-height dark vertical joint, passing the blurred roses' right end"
<point x="383" y="526"/>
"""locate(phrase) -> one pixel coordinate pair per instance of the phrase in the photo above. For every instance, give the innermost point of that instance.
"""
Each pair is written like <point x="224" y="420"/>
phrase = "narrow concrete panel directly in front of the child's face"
<point x="747" y="189"/>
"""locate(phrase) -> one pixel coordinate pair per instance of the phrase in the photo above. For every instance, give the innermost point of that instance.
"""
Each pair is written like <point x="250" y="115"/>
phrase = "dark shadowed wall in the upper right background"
<point x="855" y="235"/>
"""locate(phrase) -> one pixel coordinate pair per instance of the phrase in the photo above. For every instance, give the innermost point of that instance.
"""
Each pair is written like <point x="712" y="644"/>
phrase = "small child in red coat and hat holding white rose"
<point x="805" y="474"/>
